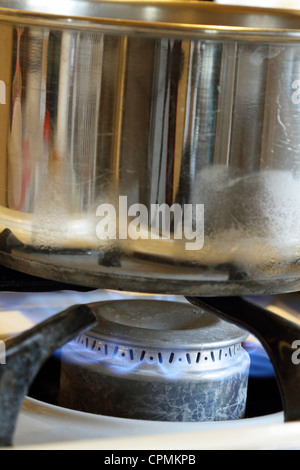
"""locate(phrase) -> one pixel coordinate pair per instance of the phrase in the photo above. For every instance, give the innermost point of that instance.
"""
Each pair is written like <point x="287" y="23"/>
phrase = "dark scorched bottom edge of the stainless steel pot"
<point x="113" y="270"/>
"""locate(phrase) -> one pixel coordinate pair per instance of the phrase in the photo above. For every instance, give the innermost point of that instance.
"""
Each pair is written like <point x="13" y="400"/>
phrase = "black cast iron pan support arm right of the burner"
<point x="277" y="333"/>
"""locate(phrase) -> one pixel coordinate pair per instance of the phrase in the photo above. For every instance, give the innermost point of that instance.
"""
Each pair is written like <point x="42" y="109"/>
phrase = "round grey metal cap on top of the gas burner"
<point x="156" y="322"/>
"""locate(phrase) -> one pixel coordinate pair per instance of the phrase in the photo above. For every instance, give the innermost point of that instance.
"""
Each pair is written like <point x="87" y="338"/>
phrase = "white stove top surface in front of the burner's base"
<point x="43" y="426"/>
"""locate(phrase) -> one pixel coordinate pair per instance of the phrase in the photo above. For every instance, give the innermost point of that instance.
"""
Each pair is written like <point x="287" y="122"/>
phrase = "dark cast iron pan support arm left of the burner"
<point x="23" y="356"/>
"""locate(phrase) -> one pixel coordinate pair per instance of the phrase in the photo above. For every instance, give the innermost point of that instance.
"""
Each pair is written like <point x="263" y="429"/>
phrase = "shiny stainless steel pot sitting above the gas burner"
<point x="151" y="146"/>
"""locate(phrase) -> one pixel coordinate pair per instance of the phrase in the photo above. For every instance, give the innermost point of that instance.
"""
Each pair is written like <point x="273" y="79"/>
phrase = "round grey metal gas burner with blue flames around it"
<point x="157" y="360"/>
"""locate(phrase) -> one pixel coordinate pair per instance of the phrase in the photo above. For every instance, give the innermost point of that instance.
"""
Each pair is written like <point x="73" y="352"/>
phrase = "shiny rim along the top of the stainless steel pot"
<point x="155" y="18"/>
